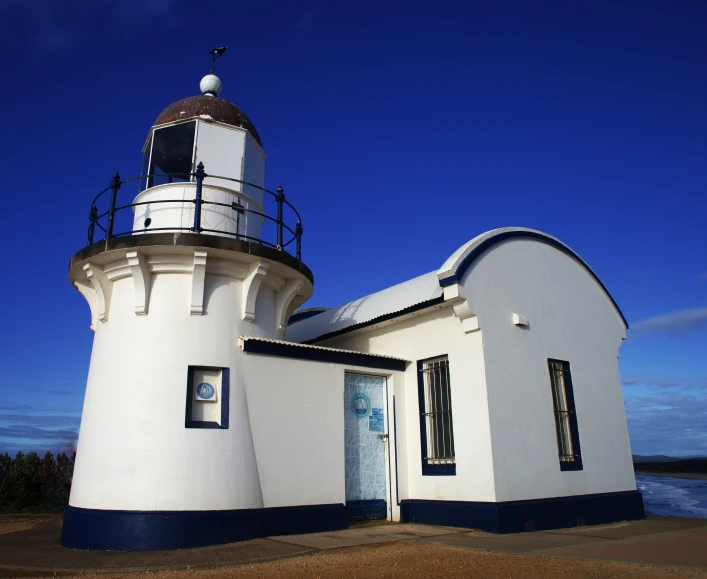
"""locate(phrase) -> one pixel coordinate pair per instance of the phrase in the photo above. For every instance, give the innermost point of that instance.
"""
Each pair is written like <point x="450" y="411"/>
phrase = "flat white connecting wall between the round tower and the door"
<point x="296" y="413"/>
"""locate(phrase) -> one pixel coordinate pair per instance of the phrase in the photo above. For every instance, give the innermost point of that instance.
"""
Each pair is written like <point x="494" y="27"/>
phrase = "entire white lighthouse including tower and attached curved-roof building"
<point x="485" y="394"/>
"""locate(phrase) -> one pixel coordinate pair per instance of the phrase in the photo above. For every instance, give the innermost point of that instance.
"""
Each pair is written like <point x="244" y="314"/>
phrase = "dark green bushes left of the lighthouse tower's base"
<point x="30" y="484"/>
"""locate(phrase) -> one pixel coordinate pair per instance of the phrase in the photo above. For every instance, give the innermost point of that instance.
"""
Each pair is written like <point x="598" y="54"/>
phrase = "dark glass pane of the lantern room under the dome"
<point x="171" y="154"/>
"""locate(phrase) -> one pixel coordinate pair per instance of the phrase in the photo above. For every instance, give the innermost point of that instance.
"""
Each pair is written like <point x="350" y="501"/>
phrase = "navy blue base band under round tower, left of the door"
<point x="161" y="530"/>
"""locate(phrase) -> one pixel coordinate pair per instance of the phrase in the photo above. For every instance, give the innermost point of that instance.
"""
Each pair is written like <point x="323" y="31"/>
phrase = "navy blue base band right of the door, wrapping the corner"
<point x="532" y="515"/>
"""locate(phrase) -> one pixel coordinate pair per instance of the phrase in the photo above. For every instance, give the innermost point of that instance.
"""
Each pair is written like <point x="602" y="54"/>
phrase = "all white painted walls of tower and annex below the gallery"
<point x="284" y="445"/>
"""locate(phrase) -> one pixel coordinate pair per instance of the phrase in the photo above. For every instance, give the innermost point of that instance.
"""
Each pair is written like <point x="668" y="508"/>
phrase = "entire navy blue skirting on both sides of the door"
<point x="161" y="530"/>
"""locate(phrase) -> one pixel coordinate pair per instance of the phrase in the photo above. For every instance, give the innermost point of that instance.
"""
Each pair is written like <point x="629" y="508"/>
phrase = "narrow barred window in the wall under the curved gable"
<point x="565" y="415"/>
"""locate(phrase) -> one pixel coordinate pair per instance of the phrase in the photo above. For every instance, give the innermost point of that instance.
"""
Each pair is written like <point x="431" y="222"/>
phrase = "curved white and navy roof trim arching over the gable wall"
<point x="461" y="260"/>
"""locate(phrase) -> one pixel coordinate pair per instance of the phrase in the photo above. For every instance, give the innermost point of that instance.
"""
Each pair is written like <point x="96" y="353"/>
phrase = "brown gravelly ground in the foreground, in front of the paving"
<point x="408" y="559"/>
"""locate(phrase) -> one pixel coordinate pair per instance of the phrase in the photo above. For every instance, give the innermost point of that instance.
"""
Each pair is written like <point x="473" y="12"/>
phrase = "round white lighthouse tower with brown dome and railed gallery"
<point x="196" y="255"/>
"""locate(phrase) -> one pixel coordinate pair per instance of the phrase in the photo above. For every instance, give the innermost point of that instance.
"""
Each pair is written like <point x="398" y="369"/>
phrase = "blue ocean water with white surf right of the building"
<point x="673" y="497"/>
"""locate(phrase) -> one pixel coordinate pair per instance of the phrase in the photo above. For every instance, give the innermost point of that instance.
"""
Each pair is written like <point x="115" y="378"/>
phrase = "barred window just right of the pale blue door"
<point x="436" y="430"/>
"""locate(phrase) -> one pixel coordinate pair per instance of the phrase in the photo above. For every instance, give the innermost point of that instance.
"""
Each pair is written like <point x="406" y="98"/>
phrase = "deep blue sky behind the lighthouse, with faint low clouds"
<point x="399" y="132"/>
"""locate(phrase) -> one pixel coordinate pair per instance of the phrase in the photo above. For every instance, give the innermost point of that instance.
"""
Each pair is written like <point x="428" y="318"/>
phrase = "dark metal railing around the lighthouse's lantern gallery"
<point x="107" y="220"/>
